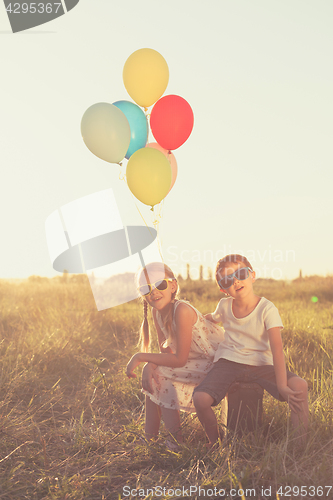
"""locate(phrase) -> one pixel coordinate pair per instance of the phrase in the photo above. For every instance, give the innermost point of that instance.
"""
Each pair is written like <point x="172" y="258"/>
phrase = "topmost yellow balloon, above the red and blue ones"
<point x="146" y="76"/>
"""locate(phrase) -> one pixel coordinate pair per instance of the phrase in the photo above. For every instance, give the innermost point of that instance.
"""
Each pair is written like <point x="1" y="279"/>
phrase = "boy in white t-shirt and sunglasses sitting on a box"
<point x="252" y="349"/>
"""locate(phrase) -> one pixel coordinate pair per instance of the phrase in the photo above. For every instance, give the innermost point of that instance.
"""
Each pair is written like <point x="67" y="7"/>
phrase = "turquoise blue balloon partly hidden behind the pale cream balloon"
<point x="138" y="125"/>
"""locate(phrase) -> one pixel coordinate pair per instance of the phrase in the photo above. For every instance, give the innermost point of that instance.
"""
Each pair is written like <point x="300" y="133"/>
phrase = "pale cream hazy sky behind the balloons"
<point x="255" y="176"/>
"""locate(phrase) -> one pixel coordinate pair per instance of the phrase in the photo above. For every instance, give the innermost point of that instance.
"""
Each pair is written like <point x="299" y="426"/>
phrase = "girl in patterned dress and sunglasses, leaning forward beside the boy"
<point x="187" y="342"/>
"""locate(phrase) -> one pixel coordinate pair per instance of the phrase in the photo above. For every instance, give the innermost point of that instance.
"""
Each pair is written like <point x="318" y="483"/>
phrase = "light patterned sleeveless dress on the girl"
<point x="176" y="385"/>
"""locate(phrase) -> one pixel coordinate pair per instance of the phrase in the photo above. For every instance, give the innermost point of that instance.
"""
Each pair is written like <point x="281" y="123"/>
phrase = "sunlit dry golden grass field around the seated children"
<point x="71" y="423"/>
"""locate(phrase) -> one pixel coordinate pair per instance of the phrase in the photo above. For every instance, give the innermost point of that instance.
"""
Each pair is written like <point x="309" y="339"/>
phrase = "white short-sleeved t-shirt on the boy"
<point x="246" y="339"/>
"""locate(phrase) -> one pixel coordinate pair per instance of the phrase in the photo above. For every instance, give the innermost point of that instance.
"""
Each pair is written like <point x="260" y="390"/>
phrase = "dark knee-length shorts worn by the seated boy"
<point x="225" y="372"/>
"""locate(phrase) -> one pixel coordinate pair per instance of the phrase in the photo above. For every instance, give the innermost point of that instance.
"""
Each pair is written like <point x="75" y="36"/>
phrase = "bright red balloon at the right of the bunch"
<point x="171" y="121"/>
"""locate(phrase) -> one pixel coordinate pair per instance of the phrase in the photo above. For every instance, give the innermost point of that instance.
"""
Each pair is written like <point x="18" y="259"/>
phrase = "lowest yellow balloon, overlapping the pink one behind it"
<point x="149" y="175"/>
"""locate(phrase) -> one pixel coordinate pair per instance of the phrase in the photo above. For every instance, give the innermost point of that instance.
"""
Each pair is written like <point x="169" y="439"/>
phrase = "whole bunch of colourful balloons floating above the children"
<point x="120" y="130"/>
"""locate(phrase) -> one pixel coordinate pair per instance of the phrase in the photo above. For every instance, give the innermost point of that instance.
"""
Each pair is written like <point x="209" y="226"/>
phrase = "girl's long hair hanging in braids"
<point x="144" y="340"/>
